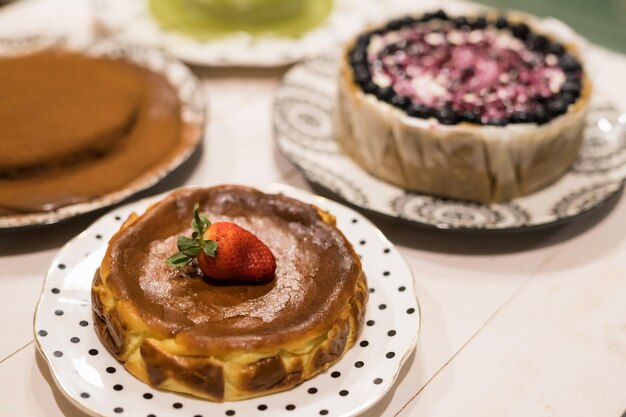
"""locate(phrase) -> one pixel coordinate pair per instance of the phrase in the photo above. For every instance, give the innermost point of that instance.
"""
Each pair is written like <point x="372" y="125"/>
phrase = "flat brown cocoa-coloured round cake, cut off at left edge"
<point x="77" y="127"/>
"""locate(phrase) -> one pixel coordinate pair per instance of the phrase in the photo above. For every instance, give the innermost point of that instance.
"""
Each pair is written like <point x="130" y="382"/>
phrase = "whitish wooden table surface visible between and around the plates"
<point x="529" y="324"/>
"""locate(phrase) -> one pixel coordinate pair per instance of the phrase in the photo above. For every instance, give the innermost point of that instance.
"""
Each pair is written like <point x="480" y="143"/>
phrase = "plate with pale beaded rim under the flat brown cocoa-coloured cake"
<point x="193" y="114"/>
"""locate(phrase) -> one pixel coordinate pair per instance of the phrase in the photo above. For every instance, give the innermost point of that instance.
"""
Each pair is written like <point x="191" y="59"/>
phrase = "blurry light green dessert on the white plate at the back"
<point x="207" y="19"/>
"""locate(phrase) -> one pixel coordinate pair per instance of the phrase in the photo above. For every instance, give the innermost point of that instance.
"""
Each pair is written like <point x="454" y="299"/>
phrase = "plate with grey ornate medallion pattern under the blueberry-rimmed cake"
<point x="303" y="129"/>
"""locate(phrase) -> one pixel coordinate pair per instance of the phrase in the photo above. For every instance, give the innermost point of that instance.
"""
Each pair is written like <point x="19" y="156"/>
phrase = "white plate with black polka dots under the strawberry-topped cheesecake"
<point x="96" y="383"/>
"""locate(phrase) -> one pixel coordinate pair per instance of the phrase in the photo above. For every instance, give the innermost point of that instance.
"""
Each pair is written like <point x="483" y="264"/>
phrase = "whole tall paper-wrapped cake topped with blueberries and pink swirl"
<point x="484" y="108"/>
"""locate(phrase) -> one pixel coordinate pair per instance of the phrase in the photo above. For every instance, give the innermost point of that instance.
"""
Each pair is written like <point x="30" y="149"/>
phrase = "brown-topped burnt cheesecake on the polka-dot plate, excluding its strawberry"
<point x="178" y="329"/>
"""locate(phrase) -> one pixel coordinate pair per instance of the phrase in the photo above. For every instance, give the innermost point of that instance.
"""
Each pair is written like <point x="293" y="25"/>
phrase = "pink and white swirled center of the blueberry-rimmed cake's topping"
<point x="487" y="71"/>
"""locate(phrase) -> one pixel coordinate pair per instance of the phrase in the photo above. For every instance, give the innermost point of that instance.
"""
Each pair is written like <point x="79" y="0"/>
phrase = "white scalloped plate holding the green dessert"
<point x="132" y="20"/>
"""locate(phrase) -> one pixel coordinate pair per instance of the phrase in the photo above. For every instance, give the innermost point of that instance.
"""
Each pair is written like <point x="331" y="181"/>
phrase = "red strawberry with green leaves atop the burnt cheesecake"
<point x="225" y="251"/>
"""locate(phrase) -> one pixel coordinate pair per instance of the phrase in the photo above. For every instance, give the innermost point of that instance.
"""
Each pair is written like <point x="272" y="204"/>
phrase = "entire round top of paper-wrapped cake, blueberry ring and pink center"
<point x="475" y="70"/>
